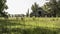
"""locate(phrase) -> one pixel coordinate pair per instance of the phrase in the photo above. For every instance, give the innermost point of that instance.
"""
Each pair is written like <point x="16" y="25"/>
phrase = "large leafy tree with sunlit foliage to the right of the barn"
<point x="53" y="7"/>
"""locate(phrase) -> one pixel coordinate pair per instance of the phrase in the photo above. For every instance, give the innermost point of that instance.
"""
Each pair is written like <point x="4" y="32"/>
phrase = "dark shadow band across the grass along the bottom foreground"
<point x="37" y="30"/>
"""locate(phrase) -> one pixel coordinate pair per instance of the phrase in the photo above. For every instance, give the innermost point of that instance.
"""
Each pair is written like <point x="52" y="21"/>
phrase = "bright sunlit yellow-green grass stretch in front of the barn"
<point x="41" y="22"/>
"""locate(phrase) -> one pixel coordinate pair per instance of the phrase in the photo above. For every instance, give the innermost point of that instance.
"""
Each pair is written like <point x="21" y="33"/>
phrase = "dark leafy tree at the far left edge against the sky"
<point x="3" y="7"/>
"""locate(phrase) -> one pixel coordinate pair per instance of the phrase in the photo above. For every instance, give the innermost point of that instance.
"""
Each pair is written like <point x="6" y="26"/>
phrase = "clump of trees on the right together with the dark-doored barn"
<point x="49" y="9"/>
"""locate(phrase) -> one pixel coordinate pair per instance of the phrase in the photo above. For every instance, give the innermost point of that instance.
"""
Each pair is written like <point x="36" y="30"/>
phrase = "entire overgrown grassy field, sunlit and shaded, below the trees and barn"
<point x="30" y="25"/>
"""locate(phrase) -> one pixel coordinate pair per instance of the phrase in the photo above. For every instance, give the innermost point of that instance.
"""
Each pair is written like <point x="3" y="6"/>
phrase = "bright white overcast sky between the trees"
<point x="21" y="6"/>
